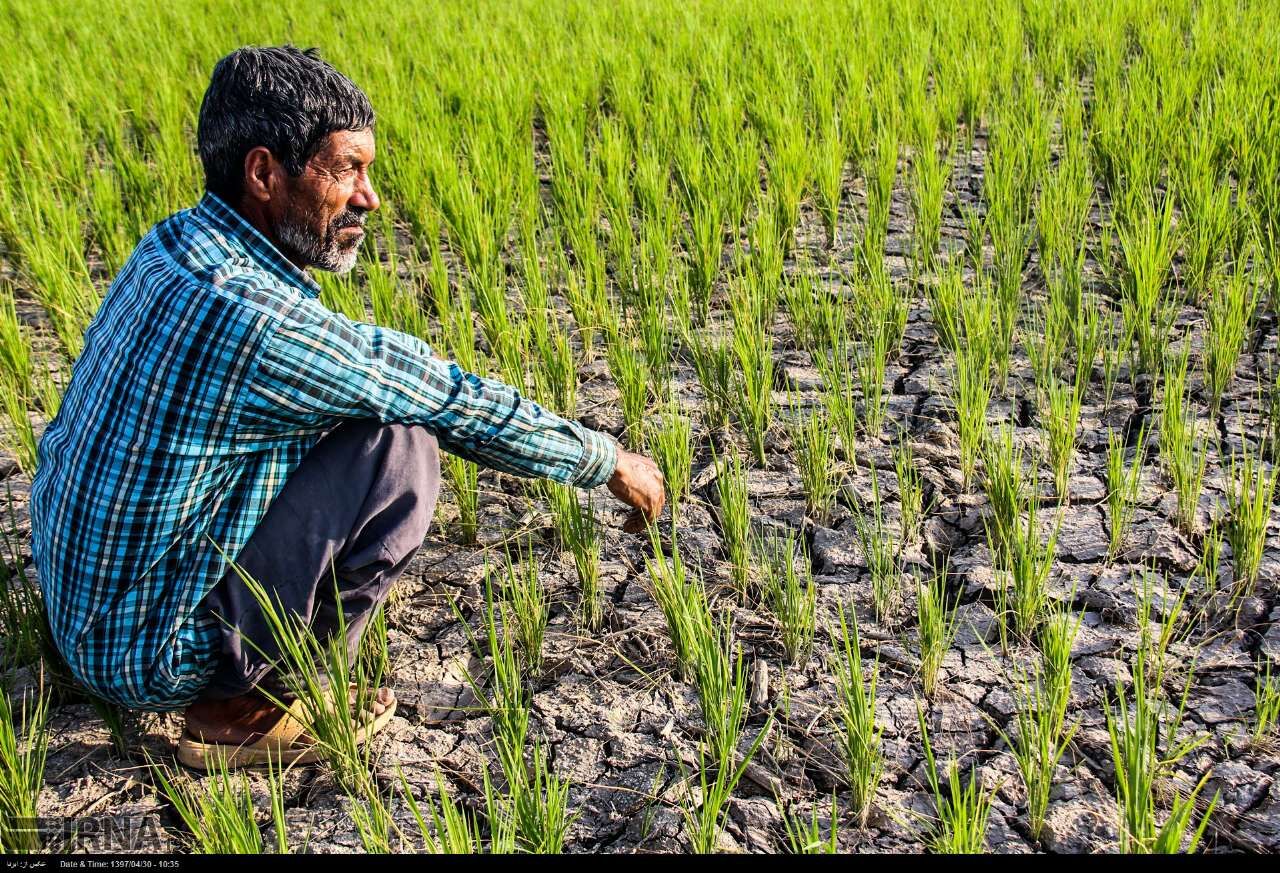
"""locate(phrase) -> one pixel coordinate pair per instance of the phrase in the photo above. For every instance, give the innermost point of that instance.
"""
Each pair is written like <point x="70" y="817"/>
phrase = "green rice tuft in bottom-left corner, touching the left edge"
<point x="24" y="748"/>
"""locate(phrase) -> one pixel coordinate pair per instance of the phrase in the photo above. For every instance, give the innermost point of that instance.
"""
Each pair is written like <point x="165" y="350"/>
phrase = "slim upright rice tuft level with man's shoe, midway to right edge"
<point x="858" y="733"/>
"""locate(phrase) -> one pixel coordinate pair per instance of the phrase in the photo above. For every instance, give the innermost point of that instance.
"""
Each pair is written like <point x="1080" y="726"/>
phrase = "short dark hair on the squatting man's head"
<point x="282" y="98"/>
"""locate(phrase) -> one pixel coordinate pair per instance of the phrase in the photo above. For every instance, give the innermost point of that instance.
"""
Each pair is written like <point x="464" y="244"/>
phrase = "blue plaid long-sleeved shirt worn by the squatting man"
<point x="208" y="373"/>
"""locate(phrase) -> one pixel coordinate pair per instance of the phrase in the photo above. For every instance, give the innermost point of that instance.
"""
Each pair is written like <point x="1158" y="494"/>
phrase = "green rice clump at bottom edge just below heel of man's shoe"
<point x="218" y="811"/>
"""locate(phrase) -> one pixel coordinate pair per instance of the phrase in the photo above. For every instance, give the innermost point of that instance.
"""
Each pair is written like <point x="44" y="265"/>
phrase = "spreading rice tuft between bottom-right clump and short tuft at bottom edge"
<point x="1039" y="742"/>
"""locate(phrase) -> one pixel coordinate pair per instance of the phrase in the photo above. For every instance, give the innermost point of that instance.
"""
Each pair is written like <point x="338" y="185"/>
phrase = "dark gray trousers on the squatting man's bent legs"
<point x="358" y="508"/>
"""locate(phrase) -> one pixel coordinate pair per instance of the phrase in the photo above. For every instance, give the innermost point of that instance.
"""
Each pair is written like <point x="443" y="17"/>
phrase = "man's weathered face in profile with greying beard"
<point x="321" y="218"/>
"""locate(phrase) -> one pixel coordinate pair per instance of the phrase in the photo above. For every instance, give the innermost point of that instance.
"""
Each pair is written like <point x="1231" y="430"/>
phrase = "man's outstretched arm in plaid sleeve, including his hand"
<point x="319" y="367"/>
